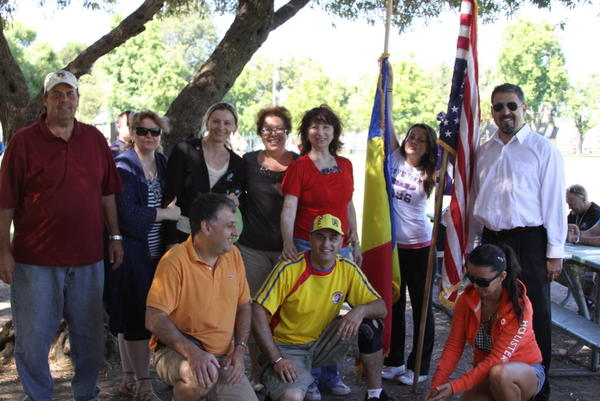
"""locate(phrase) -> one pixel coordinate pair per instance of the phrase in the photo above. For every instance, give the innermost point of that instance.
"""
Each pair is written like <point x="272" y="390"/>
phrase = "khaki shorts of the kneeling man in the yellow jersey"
<point x="329" y="349"/>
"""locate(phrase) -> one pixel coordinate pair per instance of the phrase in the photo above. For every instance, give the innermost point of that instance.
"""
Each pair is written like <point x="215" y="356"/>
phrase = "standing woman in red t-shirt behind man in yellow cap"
<point x="319" y="182"/>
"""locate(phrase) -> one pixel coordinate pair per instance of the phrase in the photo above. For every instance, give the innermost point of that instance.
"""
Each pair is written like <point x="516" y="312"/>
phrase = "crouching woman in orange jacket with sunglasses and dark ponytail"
<point x="495" y="316"/>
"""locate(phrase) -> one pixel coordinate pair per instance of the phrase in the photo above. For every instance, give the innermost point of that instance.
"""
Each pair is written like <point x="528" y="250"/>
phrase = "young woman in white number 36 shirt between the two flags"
<point x="413" y="179"/>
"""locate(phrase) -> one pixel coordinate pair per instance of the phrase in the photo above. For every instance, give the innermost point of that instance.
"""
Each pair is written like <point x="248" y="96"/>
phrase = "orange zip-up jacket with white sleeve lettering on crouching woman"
<point x="513" y="341"/>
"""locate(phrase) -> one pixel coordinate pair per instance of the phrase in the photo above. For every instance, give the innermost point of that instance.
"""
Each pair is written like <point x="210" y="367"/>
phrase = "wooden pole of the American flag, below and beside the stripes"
<point x="439" y="195"/>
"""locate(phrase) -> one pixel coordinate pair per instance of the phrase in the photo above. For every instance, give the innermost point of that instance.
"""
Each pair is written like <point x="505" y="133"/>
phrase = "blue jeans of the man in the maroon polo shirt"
<point x="40" y="297"/>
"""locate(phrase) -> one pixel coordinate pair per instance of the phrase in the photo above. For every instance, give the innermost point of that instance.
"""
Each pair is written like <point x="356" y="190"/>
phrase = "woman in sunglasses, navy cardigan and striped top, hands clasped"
<point x="142" y="170"/>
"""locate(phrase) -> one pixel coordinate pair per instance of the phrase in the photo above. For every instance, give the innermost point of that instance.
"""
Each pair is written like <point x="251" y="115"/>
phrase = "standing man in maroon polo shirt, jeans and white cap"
<point x="57" y="185"/>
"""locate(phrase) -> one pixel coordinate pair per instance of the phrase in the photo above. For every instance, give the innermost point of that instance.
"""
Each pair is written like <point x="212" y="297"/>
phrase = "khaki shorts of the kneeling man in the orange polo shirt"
<point x="168" y="364"/>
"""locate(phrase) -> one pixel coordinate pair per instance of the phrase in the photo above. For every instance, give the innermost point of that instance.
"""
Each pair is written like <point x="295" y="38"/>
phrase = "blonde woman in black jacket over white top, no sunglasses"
<point x="201" y="165"/>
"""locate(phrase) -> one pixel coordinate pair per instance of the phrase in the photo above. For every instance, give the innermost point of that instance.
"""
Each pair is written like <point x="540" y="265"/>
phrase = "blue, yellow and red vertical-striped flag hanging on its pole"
<point x="380" y="262"/>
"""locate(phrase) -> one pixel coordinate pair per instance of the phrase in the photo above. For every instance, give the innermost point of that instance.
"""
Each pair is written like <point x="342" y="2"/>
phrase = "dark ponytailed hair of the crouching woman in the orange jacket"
<point x="500" y="258"/>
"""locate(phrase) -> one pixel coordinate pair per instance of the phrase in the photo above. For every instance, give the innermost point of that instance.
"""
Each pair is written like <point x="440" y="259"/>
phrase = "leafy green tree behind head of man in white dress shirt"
<point x="531" y="57"/>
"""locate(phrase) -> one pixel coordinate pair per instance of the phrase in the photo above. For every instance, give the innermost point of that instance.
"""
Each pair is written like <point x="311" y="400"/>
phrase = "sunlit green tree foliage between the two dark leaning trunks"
<point x="149" y="70"/>
